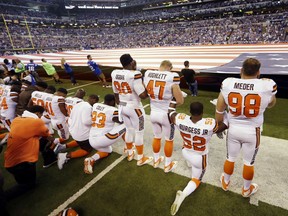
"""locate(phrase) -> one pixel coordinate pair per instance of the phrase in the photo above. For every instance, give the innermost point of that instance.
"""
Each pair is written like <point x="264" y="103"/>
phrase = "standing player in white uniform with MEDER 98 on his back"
<point x="246" y="99"/>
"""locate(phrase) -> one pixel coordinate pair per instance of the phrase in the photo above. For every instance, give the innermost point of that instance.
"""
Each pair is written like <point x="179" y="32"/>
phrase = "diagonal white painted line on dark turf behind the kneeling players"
<point x="86" y="187"/>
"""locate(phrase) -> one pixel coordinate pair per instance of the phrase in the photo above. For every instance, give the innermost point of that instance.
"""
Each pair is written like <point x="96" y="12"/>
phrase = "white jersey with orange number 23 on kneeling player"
<point x="102" y="119"/>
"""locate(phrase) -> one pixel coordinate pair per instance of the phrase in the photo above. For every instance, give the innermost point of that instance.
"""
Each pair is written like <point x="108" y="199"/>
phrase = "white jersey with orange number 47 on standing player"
<point x="159" y="87"/>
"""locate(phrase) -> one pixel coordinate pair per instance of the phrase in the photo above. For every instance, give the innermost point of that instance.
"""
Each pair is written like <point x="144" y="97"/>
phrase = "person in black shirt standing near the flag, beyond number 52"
<point x="189" y="76"/>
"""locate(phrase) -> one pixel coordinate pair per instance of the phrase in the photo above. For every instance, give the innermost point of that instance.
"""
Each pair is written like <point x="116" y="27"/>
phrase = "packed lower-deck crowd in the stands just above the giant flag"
<point x="247" y="29"/>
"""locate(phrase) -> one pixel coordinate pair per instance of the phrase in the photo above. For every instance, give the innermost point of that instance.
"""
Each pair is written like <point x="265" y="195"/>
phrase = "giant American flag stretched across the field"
<point x="212" y="59"/>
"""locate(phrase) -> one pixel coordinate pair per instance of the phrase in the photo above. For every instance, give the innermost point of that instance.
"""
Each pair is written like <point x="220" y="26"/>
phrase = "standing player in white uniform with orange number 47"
<point x="162" y="86"/>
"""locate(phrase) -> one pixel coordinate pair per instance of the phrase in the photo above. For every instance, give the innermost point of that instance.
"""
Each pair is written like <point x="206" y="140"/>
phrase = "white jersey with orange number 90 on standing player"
<point x="128" y="84"/>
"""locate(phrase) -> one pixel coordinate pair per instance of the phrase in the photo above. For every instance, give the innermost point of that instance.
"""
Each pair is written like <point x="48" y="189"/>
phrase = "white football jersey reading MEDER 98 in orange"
<point x="247" y="99"/>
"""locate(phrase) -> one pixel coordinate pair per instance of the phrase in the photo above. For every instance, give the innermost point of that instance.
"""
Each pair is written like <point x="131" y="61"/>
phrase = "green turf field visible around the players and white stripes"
<point x="129" y="190"/>
